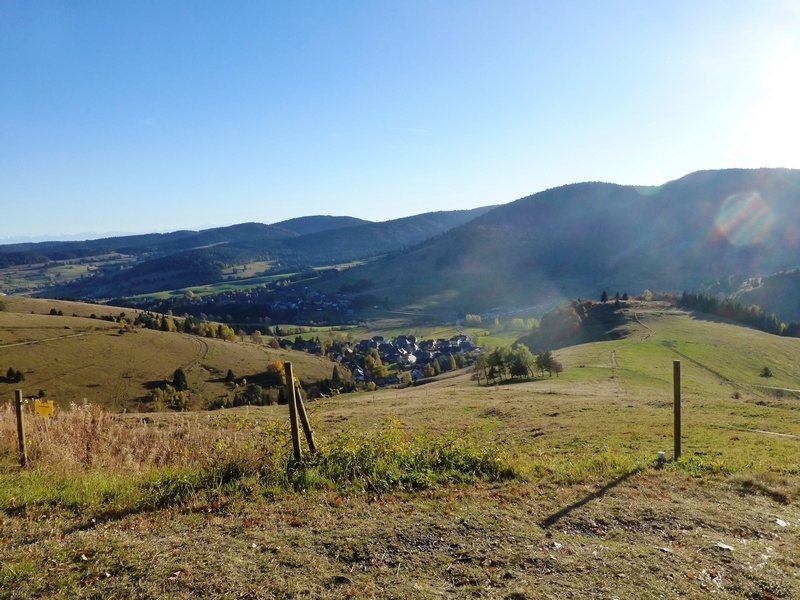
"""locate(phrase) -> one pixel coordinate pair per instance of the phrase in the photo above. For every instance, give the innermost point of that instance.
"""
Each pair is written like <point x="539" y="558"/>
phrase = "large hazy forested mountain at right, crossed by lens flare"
<point x="578" y="239"/>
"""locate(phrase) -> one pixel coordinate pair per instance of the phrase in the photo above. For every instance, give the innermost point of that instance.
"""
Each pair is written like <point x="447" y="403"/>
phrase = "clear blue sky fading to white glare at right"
<point x="134" y="117"/>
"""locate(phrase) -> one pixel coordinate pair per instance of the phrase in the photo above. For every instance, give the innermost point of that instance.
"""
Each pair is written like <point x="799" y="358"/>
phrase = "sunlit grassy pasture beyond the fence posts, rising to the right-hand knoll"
<point x="614" y="400"/>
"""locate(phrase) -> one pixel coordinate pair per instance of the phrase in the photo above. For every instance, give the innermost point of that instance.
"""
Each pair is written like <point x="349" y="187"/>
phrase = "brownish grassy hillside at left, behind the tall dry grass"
<point x="76" y="358"/>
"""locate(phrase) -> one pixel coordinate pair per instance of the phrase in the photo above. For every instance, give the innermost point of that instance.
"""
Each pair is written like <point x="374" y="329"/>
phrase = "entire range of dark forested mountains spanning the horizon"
<point x="568" y="241"/>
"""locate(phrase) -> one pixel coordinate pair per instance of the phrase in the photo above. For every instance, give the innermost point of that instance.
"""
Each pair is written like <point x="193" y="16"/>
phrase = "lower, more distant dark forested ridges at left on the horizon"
<point x="157" y="262"/>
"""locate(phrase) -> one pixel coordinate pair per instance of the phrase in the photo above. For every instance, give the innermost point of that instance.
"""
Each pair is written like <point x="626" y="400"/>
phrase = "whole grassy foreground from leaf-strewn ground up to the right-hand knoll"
<point x="546" y="488"/>
